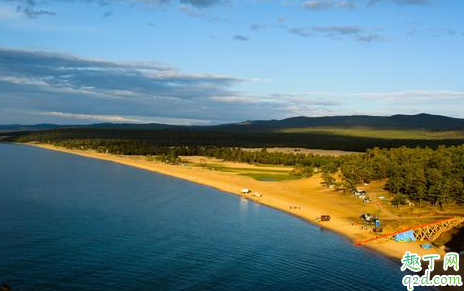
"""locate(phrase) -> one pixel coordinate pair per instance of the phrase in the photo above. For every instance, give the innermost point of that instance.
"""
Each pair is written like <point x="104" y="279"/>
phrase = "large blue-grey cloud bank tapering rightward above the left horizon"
<point x="81" y="88"/>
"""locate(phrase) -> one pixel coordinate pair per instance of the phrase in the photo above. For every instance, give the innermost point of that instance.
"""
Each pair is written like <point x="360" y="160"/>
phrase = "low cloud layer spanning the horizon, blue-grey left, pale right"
<point x="50" y="87"/>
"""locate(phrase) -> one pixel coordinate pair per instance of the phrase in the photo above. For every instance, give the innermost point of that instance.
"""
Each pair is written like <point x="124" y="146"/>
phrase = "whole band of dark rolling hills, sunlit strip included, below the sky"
<point x="351" y="133"/>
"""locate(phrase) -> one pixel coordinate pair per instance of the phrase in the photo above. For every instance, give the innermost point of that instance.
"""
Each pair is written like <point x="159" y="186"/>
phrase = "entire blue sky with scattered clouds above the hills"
<point x="219" y="61"/>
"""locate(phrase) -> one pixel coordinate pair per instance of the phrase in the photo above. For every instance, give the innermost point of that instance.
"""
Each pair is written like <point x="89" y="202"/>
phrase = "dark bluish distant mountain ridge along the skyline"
<point x="417" y="122"/>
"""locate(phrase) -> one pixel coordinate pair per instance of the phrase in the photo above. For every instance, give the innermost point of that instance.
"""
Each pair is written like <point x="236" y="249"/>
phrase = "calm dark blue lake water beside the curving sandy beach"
<point x="74" y="223"/>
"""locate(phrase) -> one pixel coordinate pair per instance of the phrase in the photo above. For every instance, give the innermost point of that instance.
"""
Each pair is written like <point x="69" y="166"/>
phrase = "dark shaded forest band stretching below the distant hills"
<point x="230" y="139"/>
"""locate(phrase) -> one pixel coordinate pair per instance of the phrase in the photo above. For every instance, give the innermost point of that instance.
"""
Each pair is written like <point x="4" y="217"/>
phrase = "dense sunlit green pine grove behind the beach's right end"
<point x="419" y="174"/>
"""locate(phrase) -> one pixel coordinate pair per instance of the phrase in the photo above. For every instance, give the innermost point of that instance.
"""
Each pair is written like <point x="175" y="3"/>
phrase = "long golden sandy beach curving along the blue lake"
<point x="304" y="198"/>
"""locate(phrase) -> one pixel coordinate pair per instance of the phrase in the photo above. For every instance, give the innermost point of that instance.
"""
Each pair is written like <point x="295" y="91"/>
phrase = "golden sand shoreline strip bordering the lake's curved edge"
<point x="277" y="195"/>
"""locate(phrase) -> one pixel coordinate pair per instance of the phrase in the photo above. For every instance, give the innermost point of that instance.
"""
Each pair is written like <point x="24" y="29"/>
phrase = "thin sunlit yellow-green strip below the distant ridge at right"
<point x="380" y="133"/>
